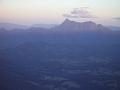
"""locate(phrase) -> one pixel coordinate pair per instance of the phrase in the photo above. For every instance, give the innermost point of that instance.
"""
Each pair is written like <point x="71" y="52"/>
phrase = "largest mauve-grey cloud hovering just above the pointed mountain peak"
<point x="79" y="13"/>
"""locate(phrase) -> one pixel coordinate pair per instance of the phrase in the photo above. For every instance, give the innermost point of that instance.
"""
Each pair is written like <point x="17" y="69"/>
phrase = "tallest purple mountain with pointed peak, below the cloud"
<point x="72" y="26"/>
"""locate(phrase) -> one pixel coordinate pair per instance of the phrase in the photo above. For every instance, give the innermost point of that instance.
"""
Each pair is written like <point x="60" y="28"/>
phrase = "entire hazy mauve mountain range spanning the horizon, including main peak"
<point x="66" y="26"/>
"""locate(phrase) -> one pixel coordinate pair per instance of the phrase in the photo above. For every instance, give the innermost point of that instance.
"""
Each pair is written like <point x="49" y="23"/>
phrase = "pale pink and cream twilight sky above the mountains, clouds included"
<point x="55" y="11"/>
